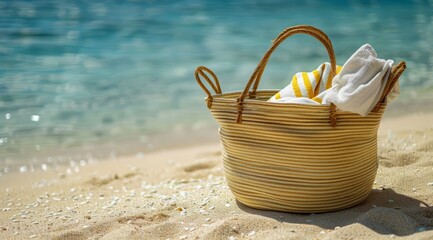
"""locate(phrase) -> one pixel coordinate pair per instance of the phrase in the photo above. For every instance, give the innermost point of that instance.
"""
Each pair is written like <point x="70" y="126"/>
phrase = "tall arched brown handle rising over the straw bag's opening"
<point x="256" y="76"/>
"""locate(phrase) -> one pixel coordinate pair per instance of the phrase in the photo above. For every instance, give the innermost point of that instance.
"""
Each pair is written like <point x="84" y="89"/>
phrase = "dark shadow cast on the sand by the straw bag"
<point x="384" y="211"/>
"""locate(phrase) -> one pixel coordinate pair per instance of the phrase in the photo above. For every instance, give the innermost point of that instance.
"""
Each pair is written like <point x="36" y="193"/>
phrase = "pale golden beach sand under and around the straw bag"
<point x="182" y="194"/>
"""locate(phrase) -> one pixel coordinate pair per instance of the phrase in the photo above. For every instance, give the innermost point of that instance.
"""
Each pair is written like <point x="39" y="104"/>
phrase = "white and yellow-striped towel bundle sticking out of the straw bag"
<point x="357" y="86"/>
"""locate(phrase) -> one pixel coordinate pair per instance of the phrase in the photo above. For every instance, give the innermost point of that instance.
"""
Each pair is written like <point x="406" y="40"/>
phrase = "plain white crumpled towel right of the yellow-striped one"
<point x="360" y="83"/>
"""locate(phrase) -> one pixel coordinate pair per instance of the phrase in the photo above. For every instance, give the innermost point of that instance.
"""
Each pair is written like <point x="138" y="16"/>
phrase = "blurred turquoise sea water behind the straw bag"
<point x="80" y="79"/>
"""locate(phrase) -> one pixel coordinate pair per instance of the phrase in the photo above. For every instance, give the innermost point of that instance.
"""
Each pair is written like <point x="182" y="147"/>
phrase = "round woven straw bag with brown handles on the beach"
<point x="294" y="157"/>
